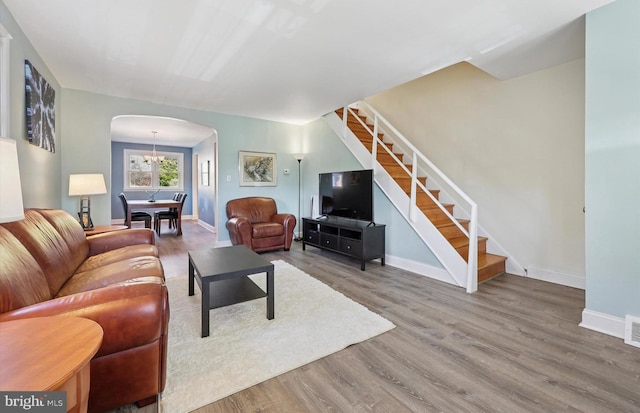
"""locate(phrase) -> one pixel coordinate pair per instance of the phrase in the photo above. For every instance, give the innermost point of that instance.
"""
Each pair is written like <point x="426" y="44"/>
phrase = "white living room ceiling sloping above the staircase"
<point x="289" y="60"/>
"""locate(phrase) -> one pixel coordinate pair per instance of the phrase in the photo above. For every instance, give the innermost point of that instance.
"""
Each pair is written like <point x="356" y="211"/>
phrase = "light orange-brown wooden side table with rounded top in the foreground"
<point x="49" y="354"/>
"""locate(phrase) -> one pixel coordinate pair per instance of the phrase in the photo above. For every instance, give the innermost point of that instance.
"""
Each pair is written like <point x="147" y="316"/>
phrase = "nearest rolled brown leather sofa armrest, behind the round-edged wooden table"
<point x="131" y="313"/>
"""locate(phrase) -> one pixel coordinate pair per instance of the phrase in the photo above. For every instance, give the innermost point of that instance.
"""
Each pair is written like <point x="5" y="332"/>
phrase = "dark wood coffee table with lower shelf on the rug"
<point x="222" y="274"/>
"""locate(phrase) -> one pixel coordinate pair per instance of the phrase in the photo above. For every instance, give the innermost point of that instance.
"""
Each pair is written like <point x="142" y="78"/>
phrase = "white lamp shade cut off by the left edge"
<point x="11" y="208"/>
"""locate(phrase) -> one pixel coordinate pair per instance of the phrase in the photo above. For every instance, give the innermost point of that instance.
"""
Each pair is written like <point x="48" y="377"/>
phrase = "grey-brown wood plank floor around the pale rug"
<point x="514" y="346"/>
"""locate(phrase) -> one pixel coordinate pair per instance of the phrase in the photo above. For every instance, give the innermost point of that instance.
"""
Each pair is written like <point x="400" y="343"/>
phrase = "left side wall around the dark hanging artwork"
<point x="39" y="169"/>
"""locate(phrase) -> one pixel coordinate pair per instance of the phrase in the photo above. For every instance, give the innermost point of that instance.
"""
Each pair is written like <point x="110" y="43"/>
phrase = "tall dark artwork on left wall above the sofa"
<point x="40" y="107"/>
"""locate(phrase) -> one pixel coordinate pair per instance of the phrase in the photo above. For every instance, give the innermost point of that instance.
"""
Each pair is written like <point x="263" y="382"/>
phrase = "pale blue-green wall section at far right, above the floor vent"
<point x="612" y="151"/>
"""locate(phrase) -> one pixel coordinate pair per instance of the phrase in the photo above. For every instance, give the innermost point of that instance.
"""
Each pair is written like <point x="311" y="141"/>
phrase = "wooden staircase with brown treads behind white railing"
<point x="385" y="154"/>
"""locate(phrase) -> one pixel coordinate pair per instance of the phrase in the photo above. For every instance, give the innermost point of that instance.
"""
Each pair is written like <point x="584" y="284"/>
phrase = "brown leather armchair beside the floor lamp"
<point x="255" y="222"/>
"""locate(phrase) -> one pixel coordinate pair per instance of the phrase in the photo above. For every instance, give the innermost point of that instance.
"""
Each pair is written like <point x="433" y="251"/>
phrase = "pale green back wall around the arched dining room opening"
<point x="86" y="127"/>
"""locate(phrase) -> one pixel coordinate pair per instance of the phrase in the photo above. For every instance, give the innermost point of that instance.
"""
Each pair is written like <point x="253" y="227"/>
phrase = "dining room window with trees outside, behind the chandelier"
<point x="146" y="175"/>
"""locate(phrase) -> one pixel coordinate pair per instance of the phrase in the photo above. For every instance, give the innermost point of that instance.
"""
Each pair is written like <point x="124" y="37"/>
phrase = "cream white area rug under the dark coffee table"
<point x="244" y="348"/>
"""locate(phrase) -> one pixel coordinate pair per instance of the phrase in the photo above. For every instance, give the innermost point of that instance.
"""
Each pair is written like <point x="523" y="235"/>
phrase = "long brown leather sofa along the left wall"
<point x="48" y="267"/>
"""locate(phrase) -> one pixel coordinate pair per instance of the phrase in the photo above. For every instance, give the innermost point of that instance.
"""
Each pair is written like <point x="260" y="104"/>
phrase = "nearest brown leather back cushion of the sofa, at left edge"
<point x="22" y="282"/>
